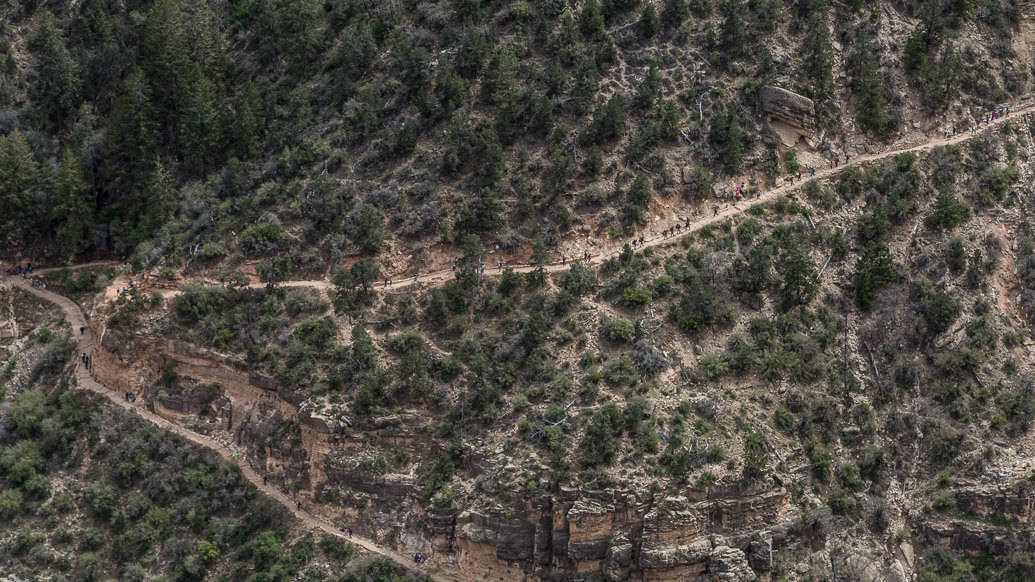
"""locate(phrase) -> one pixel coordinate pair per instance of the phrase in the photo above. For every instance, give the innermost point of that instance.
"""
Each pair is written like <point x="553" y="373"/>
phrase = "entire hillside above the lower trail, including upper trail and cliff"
<point x="471" y="278"/>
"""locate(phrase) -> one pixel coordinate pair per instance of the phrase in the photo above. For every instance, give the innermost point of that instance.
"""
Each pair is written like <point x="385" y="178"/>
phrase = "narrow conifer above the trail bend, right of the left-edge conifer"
<point x="73" y="208"/>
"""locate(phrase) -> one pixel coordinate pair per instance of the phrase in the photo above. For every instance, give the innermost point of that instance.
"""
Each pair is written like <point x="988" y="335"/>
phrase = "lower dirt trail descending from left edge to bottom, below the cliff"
<point x="85" y="381"/>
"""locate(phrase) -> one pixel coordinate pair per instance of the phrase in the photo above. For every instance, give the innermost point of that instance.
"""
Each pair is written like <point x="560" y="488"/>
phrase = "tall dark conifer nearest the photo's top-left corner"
<point x="57" y="90"/>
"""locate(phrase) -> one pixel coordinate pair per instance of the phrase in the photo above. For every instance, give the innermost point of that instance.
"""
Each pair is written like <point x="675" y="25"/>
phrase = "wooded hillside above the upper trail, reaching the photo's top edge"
<point x="187" y="133"/>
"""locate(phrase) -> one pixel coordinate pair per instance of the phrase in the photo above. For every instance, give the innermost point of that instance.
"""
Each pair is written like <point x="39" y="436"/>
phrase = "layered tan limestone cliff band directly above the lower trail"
<point x="552" y="534"/>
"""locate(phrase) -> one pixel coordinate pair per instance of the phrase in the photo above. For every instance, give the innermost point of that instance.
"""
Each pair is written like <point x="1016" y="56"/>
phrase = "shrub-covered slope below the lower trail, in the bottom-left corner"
<point x="91" y="493"/>
